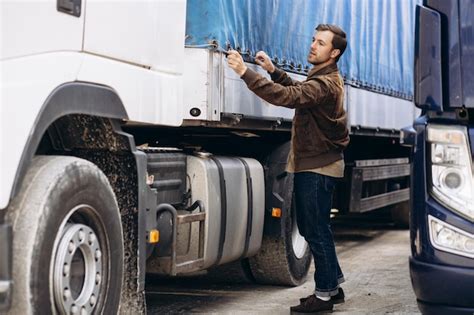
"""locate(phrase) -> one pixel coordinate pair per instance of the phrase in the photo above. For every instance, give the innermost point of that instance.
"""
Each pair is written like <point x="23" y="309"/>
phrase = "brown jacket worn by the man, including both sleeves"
<point x="319" y="133"/>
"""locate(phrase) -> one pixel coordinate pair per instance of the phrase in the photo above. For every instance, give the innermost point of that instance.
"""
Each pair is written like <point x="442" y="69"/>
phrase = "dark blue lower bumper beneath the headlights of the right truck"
<point x="442" y="289"/>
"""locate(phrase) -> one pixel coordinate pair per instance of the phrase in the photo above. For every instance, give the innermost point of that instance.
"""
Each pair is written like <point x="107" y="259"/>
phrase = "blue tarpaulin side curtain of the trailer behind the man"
<point x="380" y="35"/>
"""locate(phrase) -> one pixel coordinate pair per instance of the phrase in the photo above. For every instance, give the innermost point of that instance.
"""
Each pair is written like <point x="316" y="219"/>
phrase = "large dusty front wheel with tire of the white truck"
<point x="67" y="243"/>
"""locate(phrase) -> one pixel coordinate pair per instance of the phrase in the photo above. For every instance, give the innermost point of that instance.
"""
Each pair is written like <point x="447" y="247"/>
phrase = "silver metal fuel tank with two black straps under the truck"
<point x="232" y="190"/>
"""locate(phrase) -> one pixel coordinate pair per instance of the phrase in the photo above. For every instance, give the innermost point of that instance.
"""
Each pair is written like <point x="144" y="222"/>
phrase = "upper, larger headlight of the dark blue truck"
<point x="451" y="168"/>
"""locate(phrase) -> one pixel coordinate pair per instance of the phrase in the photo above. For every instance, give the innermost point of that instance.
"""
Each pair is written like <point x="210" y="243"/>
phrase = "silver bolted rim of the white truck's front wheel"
<point x="77" y="269"/>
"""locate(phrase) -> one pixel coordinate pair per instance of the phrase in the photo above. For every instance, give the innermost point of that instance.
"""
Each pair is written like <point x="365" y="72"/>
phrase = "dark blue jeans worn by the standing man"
<point x="313" y="196"/>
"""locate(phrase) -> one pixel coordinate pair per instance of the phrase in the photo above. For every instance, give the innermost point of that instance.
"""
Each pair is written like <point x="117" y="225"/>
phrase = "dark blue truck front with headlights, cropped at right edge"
<point x="442" y="216"/>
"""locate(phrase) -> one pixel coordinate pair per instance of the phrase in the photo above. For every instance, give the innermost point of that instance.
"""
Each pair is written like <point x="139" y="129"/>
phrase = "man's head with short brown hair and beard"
<point x="329" y="43"/>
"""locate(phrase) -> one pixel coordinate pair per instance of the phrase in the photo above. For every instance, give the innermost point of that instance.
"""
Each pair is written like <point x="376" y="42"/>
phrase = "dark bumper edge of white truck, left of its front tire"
<point x="5" y="266"/>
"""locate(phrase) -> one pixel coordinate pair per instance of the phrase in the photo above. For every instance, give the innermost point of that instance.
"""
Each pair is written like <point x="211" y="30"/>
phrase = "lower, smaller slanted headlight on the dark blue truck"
<point x="450" y="239"/>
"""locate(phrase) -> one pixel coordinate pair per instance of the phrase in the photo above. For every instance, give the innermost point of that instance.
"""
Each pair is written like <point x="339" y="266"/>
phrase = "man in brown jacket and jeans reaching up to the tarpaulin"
<point x="319" y="136"/>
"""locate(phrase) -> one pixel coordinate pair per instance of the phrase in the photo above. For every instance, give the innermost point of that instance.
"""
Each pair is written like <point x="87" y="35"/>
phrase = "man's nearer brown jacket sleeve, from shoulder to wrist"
<point x="305" y="95"/>
